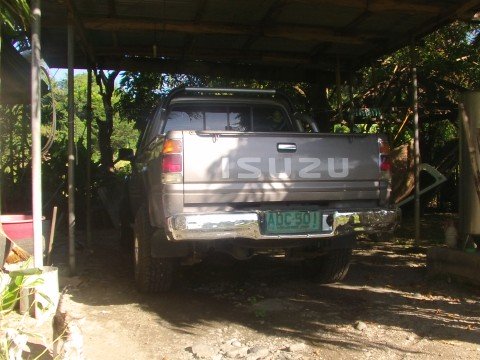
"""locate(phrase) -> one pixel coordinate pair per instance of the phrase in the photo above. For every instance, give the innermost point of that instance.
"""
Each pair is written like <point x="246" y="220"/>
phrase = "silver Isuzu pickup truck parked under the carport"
<point x="233" y="170"/>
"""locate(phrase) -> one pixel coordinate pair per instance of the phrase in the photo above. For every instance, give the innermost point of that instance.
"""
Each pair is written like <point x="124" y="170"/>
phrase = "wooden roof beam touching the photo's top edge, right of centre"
<point x="377" y="6"/>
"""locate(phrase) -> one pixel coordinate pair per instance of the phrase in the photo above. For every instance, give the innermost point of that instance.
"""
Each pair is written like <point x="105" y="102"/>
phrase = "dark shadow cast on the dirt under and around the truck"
<point x="386" y="288"/>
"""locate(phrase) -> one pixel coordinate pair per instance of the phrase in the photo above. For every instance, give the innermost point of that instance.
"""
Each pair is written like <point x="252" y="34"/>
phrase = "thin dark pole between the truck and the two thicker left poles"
<point x="89" y="159"/>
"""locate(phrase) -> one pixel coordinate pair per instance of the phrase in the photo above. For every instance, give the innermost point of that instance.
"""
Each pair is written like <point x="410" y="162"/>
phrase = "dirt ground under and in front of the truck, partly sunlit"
<point x="264" y="309"/>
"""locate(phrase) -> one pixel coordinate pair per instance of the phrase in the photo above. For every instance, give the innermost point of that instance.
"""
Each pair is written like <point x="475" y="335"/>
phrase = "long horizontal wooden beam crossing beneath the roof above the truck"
<point x="291" y="32"/>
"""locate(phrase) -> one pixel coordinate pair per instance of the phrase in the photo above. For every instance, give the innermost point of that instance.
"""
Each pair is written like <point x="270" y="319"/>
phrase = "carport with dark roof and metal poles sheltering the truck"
<point x="317" y="41"/>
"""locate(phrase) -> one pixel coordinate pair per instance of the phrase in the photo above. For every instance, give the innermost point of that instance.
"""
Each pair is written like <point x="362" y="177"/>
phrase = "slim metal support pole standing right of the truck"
<point x="416" y="142"/>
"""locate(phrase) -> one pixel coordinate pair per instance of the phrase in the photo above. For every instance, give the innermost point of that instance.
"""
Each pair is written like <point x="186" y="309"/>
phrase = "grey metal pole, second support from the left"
<point x="71" y="153"/>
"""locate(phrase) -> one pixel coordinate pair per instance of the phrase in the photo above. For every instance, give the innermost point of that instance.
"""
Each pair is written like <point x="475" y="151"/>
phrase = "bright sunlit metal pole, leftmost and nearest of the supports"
<point x="36" y="136"/>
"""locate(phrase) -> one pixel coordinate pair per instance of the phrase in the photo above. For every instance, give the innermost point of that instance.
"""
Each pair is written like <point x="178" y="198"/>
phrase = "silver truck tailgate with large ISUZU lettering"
<point x="233" y="167"/>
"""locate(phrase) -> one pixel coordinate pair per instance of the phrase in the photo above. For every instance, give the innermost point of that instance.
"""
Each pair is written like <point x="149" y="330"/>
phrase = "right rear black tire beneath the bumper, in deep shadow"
<point x="329" y="268"/>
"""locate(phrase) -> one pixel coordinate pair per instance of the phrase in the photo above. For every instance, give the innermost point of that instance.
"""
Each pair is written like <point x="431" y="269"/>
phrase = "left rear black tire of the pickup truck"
<point x="152" y="275"/>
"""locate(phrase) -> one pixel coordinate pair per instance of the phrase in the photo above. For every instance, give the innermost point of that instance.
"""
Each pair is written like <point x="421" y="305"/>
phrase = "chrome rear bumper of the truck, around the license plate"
<point x="248" y="225"/>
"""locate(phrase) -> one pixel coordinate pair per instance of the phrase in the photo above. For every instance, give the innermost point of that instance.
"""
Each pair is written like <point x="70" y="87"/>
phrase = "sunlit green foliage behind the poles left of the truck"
<point x="15" y="143"/>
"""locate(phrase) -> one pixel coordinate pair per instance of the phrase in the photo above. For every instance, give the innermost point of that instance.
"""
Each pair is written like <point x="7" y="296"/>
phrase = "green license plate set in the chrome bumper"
<point x="292" y="222"/>
